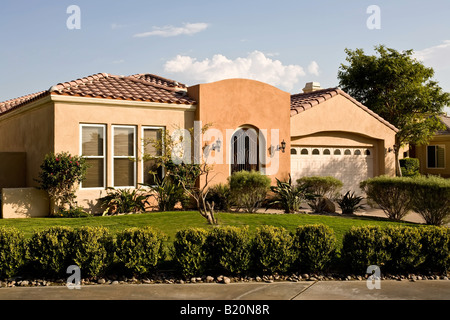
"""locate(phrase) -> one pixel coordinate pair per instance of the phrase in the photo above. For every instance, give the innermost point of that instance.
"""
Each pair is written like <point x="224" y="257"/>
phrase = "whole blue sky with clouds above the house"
<point x="285" y="43"/>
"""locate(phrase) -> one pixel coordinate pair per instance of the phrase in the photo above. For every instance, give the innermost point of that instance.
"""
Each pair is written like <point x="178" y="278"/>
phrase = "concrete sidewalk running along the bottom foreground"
<point x="304" y="290"/>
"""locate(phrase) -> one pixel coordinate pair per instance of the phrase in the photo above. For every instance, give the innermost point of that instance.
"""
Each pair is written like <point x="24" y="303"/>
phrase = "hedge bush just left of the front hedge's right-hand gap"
<point x="315" y="247"/>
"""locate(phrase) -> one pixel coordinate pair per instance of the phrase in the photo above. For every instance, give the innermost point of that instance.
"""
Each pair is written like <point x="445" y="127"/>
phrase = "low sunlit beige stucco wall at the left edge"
<point x="24" y="203"/>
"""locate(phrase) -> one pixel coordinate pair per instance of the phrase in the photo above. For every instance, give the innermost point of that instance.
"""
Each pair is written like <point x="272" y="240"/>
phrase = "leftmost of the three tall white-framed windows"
<point x="93" y="142"/>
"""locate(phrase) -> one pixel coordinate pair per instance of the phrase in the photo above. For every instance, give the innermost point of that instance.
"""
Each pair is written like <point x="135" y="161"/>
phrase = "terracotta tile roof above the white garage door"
<point x="304" y="101"/>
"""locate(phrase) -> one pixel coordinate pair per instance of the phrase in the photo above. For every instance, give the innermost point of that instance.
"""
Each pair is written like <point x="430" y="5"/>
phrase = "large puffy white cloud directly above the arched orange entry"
<point x="256" y="66"/>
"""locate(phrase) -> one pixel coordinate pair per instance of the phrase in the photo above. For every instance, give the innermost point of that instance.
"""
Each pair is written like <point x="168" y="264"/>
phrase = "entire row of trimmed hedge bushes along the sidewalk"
<point x="233" y="250"/>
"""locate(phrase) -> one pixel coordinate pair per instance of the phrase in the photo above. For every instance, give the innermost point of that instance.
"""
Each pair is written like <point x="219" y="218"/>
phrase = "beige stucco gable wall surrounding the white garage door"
<point x="340" y="122"/>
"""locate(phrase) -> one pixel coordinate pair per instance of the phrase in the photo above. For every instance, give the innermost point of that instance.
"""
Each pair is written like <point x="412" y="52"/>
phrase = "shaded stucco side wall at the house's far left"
<point x="30" y="130"/>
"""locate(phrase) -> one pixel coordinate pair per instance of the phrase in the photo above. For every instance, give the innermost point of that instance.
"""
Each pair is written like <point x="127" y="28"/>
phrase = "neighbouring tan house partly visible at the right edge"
<point x="434" y="158"/>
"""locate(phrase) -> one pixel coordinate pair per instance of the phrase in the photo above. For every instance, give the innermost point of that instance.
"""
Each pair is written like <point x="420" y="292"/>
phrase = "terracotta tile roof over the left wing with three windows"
<point x="139" y="87"/>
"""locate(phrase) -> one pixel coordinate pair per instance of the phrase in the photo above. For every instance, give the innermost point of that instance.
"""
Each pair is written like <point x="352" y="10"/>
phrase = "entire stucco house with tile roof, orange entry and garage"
<point x="105" y="118"/>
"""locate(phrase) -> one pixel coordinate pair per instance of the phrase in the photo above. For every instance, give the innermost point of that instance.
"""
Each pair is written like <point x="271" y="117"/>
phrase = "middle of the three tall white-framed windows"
<point x="124" y="156"/>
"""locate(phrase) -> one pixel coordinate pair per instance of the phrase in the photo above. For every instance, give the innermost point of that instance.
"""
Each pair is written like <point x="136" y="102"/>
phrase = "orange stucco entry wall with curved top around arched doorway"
<point x="230" y="104"/>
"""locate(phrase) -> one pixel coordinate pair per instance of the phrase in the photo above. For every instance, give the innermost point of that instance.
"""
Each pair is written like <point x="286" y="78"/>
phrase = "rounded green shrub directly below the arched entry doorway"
<point x="249" y="189"/>
